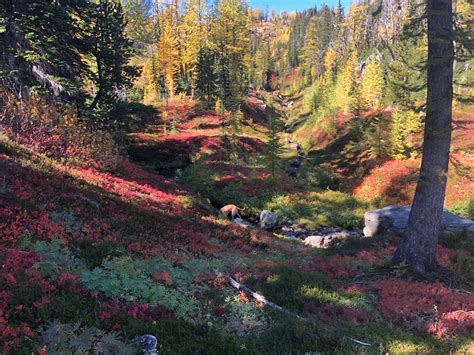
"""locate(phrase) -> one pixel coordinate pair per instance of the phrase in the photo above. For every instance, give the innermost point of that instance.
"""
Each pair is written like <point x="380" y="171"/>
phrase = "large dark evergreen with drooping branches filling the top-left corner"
<point x="43" y="44"/>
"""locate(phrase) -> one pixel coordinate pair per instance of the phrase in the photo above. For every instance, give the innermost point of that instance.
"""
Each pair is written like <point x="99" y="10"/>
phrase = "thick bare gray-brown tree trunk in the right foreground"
<point x="418" y="247"/>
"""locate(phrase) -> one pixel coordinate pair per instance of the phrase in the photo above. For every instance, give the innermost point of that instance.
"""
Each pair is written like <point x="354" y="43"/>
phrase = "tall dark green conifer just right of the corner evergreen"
<point x="112" y="51"/>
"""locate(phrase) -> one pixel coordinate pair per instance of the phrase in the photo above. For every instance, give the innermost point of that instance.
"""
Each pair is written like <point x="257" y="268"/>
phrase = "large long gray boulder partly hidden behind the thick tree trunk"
<point x="394" y="219"/>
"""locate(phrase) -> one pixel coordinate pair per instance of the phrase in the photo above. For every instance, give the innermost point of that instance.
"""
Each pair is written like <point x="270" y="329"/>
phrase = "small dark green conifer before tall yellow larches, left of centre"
<point x="206" y="88"/>
